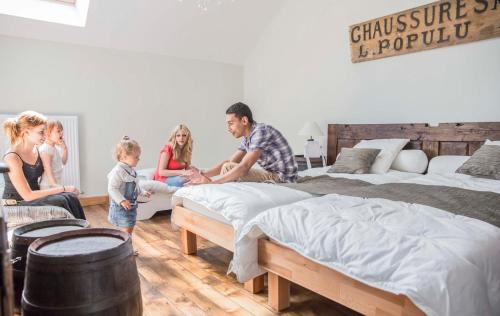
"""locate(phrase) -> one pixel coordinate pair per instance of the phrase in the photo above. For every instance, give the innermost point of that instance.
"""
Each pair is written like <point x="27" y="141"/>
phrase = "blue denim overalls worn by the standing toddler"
<point x="119" y="216"/>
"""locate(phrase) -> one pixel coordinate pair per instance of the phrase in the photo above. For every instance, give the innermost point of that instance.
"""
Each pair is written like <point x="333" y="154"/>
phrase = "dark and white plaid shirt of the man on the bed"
<point x="277" y="156"/>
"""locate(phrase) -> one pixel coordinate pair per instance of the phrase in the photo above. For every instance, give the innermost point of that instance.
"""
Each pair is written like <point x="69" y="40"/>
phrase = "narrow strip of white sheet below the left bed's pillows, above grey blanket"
<point x="390" y="176"/>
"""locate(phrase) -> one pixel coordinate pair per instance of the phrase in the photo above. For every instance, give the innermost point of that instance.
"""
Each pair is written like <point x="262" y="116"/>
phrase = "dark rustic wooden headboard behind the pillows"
<point x="444" y="139"/>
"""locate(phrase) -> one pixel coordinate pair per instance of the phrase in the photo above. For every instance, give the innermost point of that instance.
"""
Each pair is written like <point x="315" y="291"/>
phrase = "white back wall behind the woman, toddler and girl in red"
<point x="118" y="93"/>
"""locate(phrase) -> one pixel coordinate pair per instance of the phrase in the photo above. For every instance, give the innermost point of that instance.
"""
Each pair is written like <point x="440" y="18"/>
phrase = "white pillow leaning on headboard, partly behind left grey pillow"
<point x="390" y="148"/>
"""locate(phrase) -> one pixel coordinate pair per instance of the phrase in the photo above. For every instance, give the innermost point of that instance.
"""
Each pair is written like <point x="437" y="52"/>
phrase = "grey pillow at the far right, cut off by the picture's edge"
<point x="484" y="163"/>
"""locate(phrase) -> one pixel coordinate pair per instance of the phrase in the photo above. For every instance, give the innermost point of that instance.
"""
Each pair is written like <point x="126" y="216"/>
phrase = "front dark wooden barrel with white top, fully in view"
<point x="84" y="272"/>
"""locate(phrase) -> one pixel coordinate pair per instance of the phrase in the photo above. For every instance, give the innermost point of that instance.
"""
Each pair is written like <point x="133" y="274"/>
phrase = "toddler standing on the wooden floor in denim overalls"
<point x="123" y="185"/>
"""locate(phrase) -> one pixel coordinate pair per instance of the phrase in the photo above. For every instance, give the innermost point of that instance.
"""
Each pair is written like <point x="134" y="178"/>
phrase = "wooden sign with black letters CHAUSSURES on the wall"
<point x="439" y="24"/>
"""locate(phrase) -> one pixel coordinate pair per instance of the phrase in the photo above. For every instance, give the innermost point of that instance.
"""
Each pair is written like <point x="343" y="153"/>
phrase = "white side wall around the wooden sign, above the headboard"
<point x="301" y="70"/>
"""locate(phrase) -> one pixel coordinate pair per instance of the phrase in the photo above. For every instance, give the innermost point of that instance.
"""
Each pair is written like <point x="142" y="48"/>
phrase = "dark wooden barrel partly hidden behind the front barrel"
<point x="23" y="236"/>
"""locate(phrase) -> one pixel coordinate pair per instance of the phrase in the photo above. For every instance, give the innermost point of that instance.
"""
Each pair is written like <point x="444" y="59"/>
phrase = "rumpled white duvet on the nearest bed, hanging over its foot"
<point x="446" y="264"/>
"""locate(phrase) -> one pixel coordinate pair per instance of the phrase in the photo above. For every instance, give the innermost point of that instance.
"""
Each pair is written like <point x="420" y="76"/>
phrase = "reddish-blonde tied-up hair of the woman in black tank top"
<point x="16" y="126"/>
